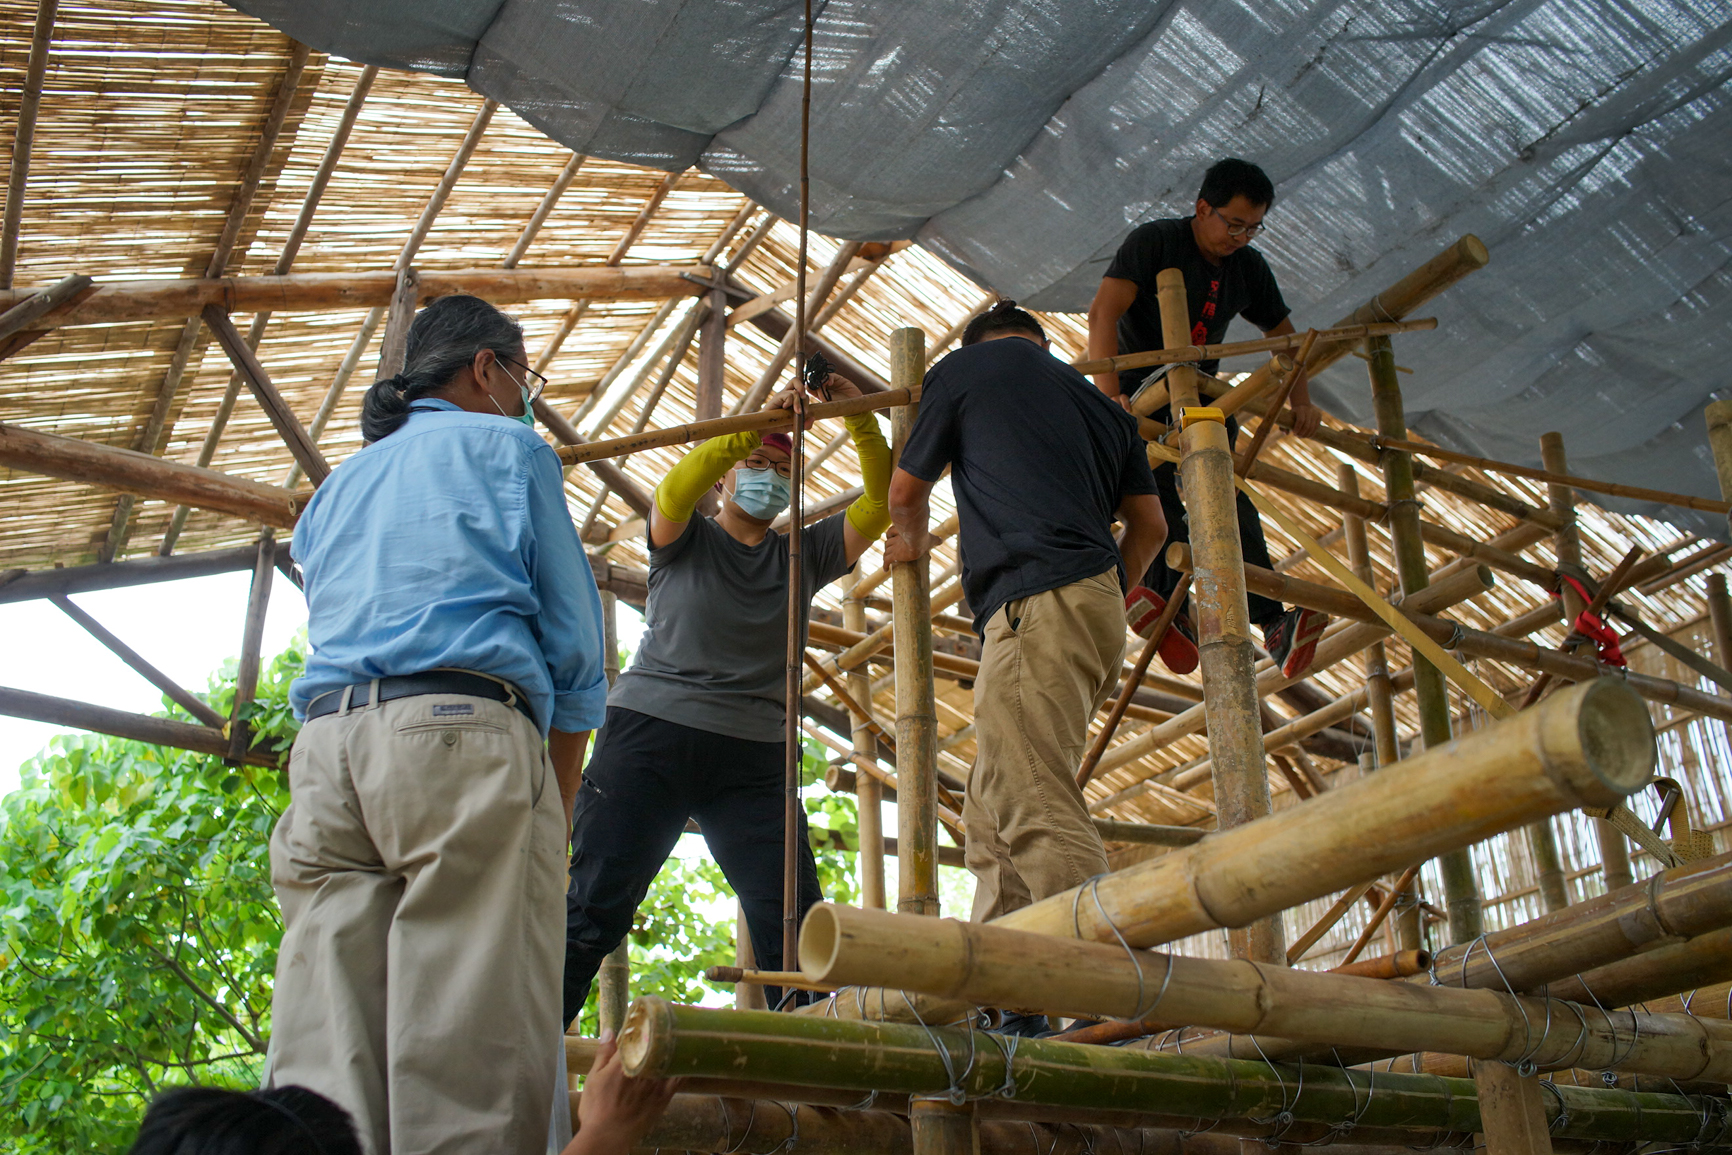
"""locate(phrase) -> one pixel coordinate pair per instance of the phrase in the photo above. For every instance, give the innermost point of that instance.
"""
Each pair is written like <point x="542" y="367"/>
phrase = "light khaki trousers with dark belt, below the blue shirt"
<point x="422" y="879"/>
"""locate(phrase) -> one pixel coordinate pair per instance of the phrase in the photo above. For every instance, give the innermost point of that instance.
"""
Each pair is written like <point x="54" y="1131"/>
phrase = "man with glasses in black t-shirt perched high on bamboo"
<point x="1224" y="278"/>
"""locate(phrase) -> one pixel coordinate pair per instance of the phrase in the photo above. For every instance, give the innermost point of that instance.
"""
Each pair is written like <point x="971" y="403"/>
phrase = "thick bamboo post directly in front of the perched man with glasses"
<point x="1224" y="621"/>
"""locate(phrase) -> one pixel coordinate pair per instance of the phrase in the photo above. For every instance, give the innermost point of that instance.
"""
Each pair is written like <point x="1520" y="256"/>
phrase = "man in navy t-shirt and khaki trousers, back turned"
<point x="1040" y="465"/>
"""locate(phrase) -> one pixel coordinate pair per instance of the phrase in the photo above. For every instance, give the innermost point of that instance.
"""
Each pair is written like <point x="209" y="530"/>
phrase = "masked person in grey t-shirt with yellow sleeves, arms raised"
<point x="695" y="726"/>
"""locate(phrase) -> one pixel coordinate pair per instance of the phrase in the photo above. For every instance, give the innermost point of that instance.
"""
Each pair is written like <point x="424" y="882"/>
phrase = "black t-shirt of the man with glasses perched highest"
<point x="1241" y="287"/>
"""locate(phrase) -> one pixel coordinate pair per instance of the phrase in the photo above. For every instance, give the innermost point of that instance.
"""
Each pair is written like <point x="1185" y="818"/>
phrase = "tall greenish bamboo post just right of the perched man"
<point x="1459" y="884"/>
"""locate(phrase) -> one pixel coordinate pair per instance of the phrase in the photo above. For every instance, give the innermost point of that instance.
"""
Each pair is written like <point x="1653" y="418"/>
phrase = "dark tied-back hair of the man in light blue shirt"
<point x="444" y="339"/>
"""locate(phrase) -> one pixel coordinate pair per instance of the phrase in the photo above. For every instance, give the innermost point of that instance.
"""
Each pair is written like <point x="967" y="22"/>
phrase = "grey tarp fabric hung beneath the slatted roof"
<point x="1587" y="145"/>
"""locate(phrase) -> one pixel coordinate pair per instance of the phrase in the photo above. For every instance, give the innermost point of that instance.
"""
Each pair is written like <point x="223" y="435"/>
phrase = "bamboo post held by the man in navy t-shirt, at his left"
<point x="917" y="725"/>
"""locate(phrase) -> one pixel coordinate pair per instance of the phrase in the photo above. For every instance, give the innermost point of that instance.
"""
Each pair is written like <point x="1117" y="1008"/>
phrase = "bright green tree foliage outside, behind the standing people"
<point x="139" y="932"/>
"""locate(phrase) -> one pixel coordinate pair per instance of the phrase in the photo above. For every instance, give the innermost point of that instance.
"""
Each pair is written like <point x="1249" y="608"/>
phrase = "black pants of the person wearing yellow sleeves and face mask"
<point x="642" y="785"/>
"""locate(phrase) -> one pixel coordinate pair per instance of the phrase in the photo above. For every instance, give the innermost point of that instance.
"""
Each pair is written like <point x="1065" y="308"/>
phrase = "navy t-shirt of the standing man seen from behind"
<point x="1040" y="461"/>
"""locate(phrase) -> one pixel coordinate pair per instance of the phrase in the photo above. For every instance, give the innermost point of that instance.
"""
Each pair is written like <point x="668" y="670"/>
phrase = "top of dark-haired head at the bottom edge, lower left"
<point x="212" y="1121"/>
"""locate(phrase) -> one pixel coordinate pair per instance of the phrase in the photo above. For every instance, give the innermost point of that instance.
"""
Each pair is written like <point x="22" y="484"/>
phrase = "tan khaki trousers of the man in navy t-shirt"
<point x="1047" y="666"/>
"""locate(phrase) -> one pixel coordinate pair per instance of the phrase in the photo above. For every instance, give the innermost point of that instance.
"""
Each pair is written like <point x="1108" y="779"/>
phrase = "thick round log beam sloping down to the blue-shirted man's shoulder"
<point x="145" y="475"/>
